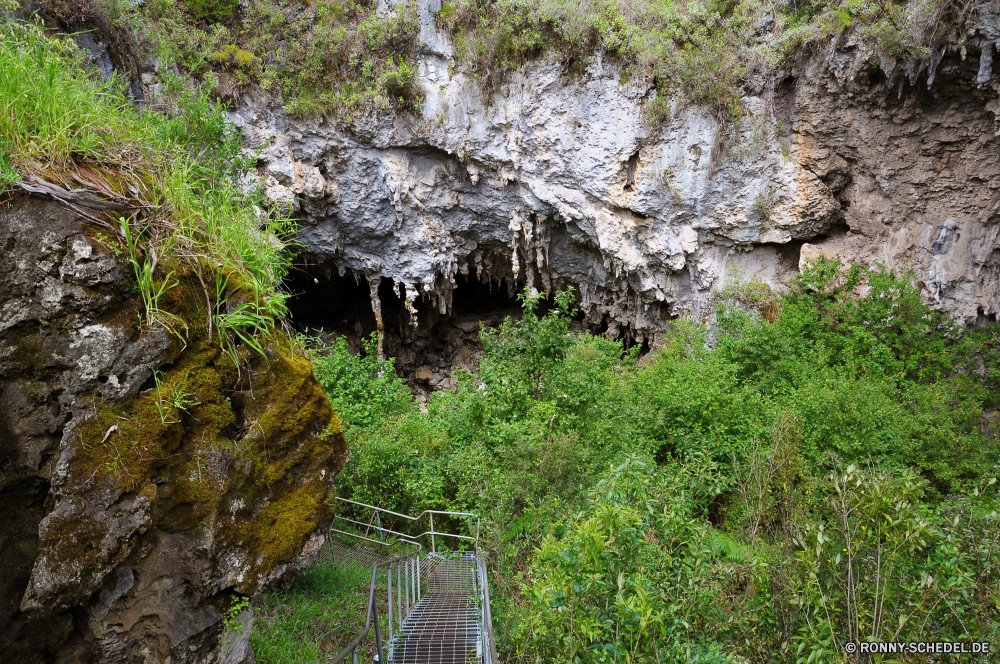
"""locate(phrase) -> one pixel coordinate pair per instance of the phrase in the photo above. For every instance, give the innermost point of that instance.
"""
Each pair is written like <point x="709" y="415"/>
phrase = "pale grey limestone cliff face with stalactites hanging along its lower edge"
<point x="562" y="181"/>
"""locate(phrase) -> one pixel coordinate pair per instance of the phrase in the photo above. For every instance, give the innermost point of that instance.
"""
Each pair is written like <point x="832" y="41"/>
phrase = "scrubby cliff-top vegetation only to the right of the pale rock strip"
<point x="709" y="54"/>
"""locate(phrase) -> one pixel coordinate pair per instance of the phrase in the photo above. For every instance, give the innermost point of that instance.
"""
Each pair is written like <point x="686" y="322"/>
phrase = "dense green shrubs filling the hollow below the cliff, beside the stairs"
<point x="823" y="473"/>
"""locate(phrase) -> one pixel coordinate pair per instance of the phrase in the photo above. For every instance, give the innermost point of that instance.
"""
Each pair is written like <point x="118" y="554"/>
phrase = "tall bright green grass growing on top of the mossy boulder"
<point x="180" y="166"/>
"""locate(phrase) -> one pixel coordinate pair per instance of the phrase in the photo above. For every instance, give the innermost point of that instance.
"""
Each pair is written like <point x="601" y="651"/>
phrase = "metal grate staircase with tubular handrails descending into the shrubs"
<point x="438" y="602"/>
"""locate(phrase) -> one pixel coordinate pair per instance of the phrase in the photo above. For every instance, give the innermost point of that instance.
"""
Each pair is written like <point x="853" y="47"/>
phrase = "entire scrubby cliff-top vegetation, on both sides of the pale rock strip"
<point x="342" y="58"/>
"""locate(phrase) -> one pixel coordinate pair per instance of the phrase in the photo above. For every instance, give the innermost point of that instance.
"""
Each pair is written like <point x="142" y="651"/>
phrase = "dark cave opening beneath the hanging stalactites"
<point x="331" y="305"/>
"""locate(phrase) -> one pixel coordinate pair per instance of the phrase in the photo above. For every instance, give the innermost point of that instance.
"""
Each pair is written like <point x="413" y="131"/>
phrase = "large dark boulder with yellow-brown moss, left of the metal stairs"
<point x="129" y="521"/>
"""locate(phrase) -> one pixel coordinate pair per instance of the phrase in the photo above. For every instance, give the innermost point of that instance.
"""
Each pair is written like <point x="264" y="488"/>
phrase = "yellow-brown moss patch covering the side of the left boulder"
<point x="263" y="438"/>
